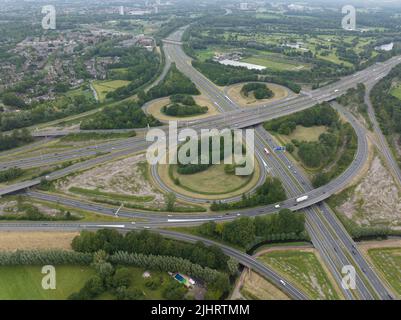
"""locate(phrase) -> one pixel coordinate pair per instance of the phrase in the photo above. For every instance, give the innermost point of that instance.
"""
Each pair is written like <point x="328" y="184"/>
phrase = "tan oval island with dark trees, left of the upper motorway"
<point x="181" y="107"/>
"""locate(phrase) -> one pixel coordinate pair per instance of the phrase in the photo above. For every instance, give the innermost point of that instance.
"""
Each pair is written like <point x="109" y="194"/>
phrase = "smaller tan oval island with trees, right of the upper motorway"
<point x="255" y="93"/>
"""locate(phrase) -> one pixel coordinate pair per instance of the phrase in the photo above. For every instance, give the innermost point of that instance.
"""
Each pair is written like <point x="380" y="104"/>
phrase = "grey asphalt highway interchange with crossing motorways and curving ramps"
<point x="328" y="235"/>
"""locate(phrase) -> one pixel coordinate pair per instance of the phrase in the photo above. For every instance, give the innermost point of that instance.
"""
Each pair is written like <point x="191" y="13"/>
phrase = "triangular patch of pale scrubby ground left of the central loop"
<point x="125" y="181"/>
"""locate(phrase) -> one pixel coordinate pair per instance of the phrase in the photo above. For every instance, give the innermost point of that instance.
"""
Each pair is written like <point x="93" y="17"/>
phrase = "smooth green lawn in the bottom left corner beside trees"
<point x="25" y="282"/>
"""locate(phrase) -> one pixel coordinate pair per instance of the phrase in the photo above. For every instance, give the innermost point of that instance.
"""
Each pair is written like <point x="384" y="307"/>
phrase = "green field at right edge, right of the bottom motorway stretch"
<point x="388" y="261"/>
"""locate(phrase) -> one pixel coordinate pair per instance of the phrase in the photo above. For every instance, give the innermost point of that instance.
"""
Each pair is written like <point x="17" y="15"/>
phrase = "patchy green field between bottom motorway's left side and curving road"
<point x="304" y="270"/>
